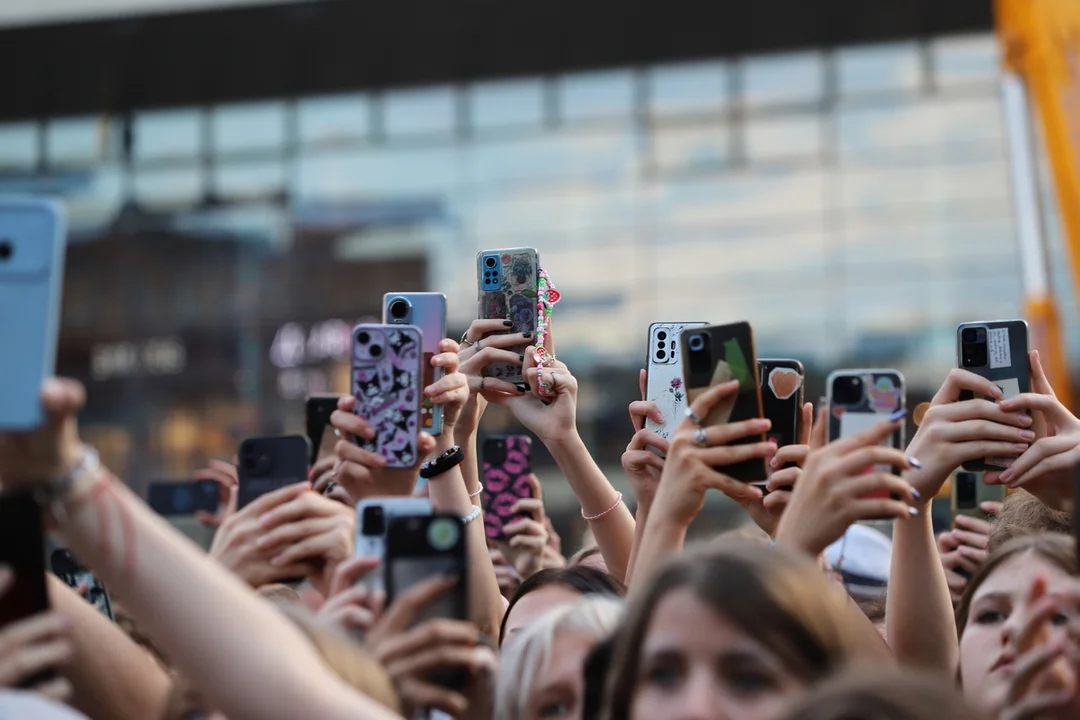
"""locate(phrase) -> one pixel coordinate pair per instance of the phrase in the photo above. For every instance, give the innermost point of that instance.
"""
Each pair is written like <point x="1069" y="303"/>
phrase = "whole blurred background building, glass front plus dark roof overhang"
<point x="245" y="184"/>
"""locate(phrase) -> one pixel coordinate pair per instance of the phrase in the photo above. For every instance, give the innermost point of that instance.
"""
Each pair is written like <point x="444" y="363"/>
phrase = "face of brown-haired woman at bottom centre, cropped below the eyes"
<point x="696" y="665"/>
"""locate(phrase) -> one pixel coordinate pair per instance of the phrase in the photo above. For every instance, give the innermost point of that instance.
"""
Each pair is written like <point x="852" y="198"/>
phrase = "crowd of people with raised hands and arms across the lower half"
<point x="980" y="622"/>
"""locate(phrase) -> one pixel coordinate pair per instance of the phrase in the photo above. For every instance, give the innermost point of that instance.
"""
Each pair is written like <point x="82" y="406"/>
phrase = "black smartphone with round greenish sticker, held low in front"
<point x="422" y="548"/>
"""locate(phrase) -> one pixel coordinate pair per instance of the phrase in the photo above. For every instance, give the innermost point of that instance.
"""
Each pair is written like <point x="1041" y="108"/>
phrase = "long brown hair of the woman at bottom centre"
<point x="779" y="599"/>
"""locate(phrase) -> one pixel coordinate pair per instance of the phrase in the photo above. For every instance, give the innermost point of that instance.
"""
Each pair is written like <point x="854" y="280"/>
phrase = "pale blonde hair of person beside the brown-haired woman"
<point x="526" y="656"/>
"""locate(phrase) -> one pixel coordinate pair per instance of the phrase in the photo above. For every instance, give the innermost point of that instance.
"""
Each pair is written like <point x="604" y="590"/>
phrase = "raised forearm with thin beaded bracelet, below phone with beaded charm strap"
<point x="615" y="529"/>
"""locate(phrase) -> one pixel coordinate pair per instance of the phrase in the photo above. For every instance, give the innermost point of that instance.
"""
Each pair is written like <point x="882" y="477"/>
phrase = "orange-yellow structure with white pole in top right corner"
<point x="1041" y="40"/>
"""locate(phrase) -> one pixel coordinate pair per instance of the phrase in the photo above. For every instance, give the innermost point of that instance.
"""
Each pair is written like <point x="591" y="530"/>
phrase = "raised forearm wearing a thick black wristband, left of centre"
<point x="449" y="494"/>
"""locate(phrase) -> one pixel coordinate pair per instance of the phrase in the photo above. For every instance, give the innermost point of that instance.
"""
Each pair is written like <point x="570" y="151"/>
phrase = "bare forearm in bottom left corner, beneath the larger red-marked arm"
<point x="113" y="677"/>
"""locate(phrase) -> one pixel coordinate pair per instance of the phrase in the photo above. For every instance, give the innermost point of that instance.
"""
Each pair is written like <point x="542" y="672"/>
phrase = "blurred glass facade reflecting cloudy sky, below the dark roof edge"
<point x="853" y="205"/>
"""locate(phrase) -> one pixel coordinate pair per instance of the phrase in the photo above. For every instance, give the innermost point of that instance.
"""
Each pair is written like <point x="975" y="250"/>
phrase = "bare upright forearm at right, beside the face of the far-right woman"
<point x="920" y="620"/>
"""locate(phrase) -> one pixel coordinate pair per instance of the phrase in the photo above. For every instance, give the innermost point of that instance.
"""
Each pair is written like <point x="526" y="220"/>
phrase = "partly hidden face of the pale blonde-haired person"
<point x="559" y="690"/>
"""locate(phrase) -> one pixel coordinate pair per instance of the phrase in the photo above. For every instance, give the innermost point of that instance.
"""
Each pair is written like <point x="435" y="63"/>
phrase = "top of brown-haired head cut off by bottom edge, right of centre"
<point x="893" y="697"/>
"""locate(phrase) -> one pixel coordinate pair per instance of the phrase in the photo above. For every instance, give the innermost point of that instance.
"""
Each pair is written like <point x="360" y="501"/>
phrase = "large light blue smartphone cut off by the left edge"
<point x="33" y="241"/>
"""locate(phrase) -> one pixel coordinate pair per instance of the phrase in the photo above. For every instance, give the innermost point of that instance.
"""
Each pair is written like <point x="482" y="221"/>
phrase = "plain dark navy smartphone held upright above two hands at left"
<point x="269" y="464"/>
